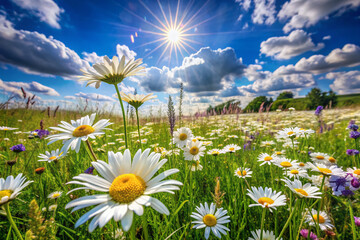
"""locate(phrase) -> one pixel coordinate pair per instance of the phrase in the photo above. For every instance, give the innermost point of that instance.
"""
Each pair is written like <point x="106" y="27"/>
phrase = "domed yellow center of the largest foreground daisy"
<point x="126" y="188"/>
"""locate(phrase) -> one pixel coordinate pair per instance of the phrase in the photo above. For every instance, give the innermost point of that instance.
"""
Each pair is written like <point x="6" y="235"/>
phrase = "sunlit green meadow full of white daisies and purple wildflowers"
<point x="292" y="174"/>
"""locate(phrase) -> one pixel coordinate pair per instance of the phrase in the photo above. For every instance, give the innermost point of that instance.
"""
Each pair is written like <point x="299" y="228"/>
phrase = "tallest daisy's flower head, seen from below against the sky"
<point x="111" y="71"/>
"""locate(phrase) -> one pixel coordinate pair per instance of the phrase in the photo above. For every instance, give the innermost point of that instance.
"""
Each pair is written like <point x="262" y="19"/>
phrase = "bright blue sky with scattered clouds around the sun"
<point x="237" y="49"/>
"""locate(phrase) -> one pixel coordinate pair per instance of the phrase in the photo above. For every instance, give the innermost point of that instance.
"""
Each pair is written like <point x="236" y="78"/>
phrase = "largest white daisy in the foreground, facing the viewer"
<point x="126" y="185"/>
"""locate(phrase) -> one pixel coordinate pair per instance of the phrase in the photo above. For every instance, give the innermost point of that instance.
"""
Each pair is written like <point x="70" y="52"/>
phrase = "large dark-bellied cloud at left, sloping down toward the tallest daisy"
<point x="33" y="52"/>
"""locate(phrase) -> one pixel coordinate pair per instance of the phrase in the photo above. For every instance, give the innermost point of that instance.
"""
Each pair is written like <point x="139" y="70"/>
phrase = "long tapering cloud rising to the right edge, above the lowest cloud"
<point x="348" y="56"/>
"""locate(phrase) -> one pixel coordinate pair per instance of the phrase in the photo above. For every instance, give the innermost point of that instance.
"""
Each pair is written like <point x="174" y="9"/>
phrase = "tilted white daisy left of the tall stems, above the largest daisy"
<point x="77" y="131"/>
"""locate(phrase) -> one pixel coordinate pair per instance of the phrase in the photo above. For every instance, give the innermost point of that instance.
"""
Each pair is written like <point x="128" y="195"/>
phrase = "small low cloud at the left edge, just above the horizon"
<point x="33" y="87"/>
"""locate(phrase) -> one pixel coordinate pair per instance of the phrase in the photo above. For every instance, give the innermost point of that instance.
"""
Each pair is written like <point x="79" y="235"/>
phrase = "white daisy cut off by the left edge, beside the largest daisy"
<point x="11" y="187"/>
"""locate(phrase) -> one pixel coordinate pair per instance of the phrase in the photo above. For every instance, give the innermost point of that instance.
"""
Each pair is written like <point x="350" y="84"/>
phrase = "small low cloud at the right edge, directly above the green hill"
<point x="345" y="82"/>
